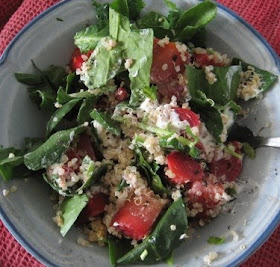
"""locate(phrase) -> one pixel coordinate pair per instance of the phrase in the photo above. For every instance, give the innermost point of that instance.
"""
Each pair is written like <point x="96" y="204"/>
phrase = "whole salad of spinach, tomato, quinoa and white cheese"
<point x="142" y="141"/>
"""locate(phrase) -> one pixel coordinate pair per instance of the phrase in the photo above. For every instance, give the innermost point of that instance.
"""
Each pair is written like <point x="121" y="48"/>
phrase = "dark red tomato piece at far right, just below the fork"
<point x="228" y="169"/>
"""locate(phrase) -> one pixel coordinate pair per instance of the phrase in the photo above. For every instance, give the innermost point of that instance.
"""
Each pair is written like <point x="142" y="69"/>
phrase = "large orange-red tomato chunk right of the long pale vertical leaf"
<point x="167" y="62"/>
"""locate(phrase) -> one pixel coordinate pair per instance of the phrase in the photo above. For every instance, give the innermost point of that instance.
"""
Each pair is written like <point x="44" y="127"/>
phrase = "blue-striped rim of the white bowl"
<point x="33" y="251"/>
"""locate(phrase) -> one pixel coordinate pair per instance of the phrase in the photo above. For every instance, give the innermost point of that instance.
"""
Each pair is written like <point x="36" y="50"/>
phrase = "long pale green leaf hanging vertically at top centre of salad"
<point x="138" y="46"/>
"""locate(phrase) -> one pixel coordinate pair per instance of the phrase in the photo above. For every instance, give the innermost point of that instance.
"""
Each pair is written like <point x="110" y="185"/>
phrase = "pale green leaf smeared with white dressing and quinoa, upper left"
<point x="107" y="60"/>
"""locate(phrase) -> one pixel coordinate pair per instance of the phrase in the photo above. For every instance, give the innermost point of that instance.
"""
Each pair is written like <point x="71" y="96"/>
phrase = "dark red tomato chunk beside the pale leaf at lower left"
<point x="95" y="206"/>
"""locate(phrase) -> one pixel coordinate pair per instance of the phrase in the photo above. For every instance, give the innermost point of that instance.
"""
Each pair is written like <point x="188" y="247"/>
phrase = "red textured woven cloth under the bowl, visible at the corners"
<point x="264" y="16"/>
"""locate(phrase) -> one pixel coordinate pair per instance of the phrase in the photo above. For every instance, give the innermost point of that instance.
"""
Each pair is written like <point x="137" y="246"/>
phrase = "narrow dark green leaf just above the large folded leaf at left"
<point x="59" y="114"/>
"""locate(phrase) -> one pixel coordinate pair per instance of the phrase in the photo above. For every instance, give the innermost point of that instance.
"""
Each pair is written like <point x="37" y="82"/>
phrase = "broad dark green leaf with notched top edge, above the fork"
<point x="222" y="91"/>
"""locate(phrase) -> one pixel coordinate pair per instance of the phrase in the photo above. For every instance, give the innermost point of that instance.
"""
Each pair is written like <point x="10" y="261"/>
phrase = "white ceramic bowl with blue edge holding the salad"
<point x="28" y="212"/>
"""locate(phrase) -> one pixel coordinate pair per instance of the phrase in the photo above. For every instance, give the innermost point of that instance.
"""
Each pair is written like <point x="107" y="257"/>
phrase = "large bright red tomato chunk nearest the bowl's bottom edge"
<point x="136" y="218"/>
